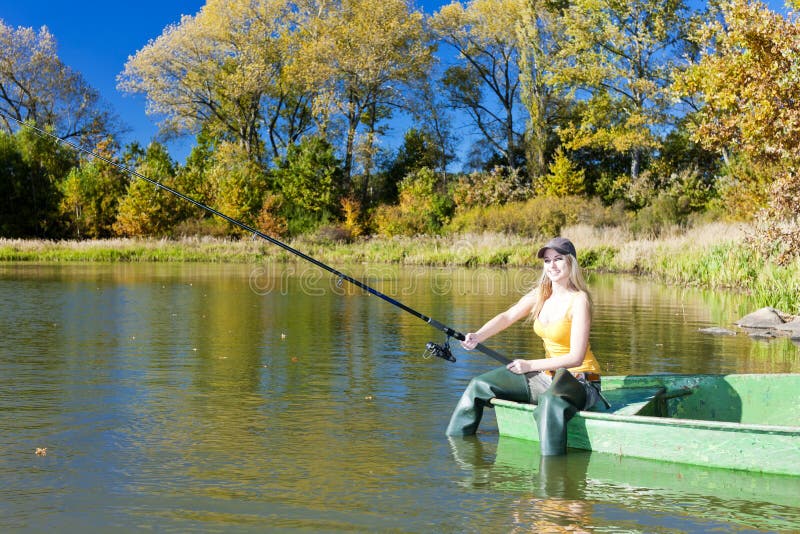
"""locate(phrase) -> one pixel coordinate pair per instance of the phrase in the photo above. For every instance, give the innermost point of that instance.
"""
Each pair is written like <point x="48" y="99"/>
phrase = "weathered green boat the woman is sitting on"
<point x="739" y="421"/>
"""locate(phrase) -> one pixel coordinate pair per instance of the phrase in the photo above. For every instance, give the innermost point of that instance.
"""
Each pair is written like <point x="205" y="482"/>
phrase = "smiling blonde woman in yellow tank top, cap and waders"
<point x="560" y="308"/>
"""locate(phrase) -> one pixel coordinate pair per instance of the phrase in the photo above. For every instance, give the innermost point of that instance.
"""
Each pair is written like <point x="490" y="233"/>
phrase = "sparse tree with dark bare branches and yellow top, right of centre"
<point x="486" y="84"/>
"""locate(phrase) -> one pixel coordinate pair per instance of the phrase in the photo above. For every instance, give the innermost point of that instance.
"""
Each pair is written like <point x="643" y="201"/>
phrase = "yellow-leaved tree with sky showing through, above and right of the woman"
<point x="617" y="58"/>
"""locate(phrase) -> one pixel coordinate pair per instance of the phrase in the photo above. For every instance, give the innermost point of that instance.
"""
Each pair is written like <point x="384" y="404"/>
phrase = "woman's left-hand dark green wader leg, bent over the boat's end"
<point x="500" y="383"/>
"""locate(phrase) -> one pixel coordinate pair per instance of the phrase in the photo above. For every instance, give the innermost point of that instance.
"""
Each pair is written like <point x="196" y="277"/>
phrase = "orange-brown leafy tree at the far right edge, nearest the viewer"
<point x="748" y="79"/>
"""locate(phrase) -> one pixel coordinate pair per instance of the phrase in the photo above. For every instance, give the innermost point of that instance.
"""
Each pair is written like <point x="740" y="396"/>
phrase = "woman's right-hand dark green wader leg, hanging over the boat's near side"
<point x="557" y="405"/>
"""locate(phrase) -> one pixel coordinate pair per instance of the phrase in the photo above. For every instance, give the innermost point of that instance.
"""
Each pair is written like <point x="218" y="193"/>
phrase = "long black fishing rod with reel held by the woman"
<point x="440" y="350"/>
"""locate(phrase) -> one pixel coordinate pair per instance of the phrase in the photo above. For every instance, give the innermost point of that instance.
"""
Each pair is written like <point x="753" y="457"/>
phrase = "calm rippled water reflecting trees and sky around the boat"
<point x="234" y="398"/>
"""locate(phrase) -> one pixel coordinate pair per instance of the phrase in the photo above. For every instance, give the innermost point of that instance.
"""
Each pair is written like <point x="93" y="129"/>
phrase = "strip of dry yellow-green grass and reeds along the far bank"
<point x="713" y="256"/>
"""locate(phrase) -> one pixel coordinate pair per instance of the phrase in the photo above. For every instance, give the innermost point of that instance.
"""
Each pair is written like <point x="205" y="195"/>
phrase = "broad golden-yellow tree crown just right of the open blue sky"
<point x="222" y="70"/>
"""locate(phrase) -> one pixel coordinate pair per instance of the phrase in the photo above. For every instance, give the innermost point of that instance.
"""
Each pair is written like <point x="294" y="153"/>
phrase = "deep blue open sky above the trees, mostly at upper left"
<point x="96" y="39"/>
